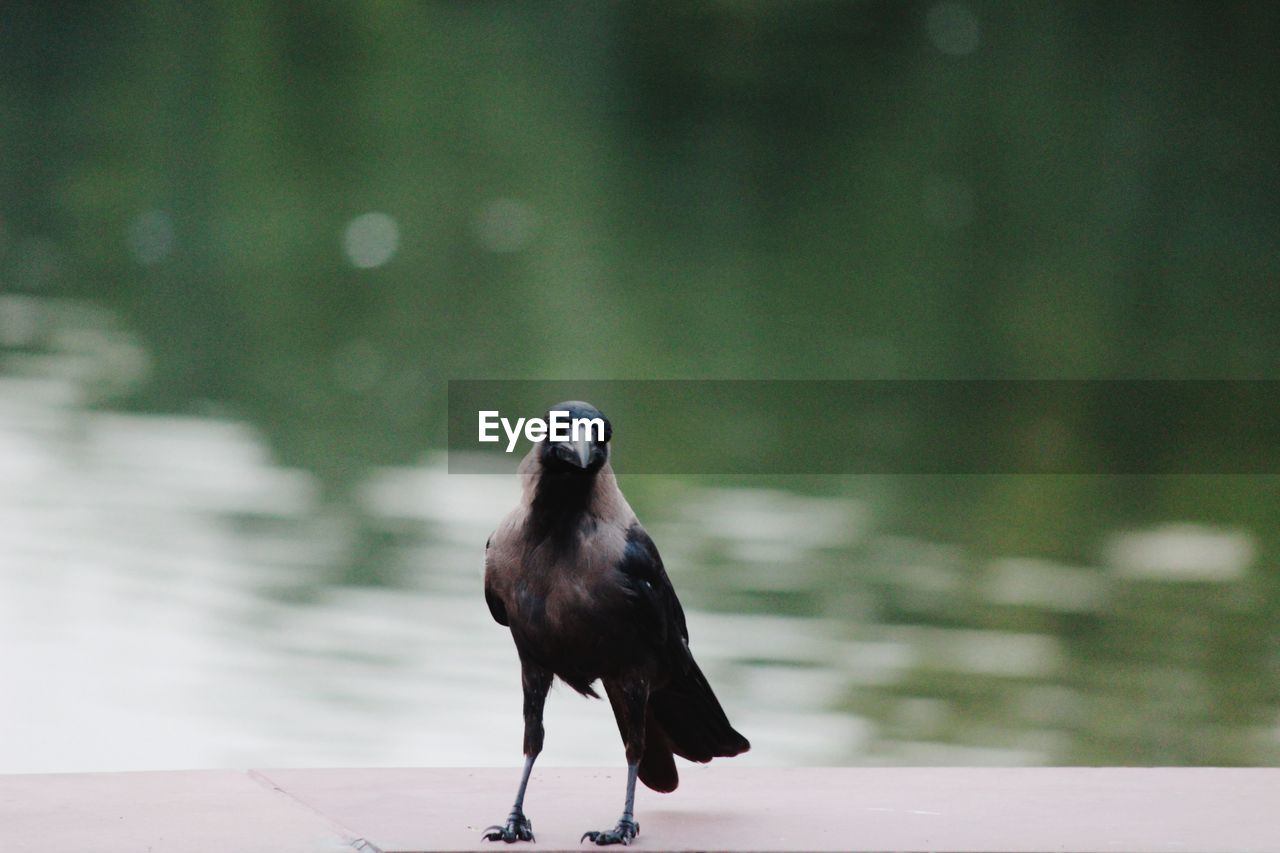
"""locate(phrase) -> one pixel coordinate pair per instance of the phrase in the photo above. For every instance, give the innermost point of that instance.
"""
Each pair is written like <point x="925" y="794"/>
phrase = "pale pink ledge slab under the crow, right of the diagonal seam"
<point x="724" y="808"/>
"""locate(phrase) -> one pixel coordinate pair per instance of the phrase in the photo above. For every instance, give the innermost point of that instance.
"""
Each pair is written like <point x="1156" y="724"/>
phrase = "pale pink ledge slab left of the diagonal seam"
<point x="202" y="811"/>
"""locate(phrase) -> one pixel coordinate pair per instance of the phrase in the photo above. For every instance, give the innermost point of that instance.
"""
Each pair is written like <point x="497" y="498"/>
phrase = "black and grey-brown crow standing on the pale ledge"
<point x="583" y="590"/>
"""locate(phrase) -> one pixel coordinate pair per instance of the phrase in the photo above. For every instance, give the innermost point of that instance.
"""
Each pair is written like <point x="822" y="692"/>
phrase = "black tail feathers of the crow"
<point x="685" y="719"/>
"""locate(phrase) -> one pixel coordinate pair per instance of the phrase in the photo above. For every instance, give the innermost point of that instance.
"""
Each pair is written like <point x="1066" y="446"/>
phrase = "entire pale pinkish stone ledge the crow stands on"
<point x="716" y="808"/>
